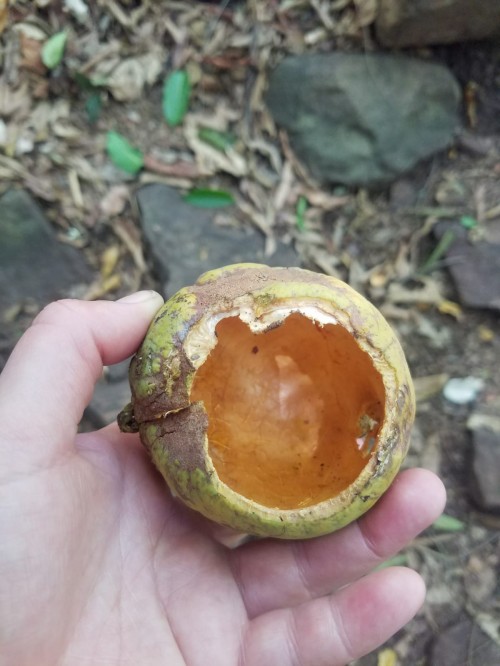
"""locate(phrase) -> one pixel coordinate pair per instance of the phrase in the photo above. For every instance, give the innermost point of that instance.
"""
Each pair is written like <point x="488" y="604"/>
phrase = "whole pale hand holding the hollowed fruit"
<point x="100" y="567"/>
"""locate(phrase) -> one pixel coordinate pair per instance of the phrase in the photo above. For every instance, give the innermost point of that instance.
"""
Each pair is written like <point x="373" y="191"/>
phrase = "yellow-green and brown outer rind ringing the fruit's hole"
<point x="174" y="430"/>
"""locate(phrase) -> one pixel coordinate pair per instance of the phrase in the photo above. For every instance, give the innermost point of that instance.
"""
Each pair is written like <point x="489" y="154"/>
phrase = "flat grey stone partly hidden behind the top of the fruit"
<point x="184" y="241"/>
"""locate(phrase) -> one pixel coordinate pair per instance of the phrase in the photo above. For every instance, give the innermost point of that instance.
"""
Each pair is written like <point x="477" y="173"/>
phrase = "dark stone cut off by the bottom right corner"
<point x="451" y="647"/>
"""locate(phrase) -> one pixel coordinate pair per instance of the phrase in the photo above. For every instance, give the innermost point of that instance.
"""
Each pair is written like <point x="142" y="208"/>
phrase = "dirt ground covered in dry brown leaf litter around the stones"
<point x="54" y="145"/>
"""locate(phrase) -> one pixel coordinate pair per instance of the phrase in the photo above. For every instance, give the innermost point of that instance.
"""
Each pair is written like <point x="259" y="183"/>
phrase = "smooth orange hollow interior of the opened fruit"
<point x="293" y="412"/>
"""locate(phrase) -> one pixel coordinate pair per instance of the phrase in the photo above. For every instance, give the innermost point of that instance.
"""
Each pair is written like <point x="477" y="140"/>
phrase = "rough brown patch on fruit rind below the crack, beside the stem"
<point x="182" y="434"/>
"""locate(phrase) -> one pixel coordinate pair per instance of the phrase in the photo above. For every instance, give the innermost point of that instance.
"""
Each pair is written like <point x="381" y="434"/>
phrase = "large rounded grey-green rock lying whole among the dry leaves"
<point x="363" y="119"/>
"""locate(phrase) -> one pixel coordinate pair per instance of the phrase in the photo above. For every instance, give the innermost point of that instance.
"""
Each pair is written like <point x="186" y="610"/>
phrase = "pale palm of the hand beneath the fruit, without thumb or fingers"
<point x="119" y="573"/>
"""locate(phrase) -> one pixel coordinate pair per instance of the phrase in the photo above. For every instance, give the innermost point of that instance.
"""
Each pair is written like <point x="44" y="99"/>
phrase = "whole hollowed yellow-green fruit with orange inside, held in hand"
<point x="275" y="401"/>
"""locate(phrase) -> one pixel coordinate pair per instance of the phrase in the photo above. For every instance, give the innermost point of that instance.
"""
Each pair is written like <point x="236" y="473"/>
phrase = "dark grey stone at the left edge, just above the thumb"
<point x="35" y="267"/>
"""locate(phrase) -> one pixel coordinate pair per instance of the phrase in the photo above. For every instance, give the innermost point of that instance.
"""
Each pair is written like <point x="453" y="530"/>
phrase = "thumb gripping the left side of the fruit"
<point x="50" y="376"/>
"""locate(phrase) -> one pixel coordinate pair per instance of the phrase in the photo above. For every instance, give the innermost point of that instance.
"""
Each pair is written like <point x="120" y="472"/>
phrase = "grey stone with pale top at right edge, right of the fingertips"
<point x="485" y="470"/>
